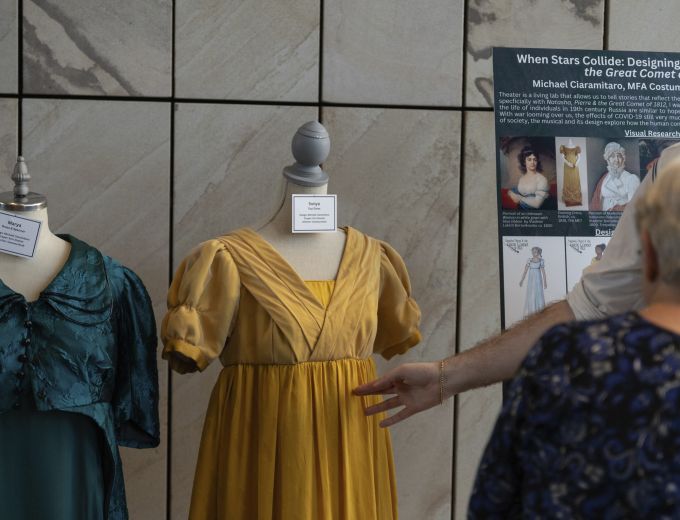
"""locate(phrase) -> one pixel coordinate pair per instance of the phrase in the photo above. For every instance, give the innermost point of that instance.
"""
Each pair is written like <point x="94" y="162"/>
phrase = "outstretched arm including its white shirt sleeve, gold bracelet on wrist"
<point x="609" y="287"/>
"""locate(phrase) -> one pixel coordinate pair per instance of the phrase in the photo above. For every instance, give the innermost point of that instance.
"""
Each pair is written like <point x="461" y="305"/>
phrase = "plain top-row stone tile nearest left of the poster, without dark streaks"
<point x="393" y="52"/>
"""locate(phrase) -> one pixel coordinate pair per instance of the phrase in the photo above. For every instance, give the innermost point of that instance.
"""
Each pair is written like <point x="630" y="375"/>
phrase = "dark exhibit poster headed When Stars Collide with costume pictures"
<point x="576" y="133"/>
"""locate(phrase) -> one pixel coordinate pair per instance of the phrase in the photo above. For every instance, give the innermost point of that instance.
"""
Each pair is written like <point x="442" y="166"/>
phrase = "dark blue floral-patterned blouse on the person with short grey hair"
<point x="590" y="427"/>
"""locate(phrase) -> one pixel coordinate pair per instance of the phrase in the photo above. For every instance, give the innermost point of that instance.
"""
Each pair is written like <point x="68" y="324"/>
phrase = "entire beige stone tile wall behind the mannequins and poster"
<point x="105" y="164"/>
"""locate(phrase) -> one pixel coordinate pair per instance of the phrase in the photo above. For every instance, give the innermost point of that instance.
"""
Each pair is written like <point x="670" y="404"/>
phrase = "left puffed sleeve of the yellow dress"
<point x="202" y="306"/>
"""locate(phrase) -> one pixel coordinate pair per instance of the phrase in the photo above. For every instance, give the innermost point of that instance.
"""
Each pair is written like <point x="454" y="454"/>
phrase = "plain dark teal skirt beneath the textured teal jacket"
<point x="51" y="466"/>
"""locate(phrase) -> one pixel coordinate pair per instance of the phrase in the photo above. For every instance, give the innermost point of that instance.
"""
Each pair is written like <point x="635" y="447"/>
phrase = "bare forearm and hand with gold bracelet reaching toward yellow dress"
<point x="416" y="386"/>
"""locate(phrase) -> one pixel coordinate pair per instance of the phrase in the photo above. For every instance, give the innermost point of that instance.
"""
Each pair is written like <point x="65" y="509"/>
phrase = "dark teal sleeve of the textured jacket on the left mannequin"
<point x="135" y="401"/>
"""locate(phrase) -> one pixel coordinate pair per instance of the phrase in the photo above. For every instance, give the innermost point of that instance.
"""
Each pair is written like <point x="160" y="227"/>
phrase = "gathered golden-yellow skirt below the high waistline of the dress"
<point x="292" y="442"/>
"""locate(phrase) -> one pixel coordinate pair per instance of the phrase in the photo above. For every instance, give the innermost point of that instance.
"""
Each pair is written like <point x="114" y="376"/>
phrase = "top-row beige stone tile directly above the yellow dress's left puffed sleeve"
<point x="218" y="44"/>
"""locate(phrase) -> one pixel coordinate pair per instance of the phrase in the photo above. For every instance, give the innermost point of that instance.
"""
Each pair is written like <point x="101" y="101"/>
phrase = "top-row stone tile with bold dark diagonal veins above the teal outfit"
<point x="96" y="47"/>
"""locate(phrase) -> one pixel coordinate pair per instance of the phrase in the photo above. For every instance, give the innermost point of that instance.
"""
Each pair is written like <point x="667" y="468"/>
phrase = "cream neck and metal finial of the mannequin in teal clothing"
<point x="29" y="276"/>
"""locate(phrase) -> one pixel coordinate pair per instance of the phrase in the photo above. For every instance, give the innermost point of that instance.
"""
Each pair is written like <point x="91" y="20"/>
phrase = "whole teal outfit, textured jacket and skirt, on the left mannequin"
<point x="78" y="378"/>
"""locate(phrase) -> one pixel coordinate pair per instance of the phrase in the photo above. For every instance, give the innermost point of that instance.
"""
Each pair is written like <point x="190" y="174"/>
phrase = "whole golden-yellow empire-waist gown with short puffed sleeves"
<point x="284" y="438"/>
